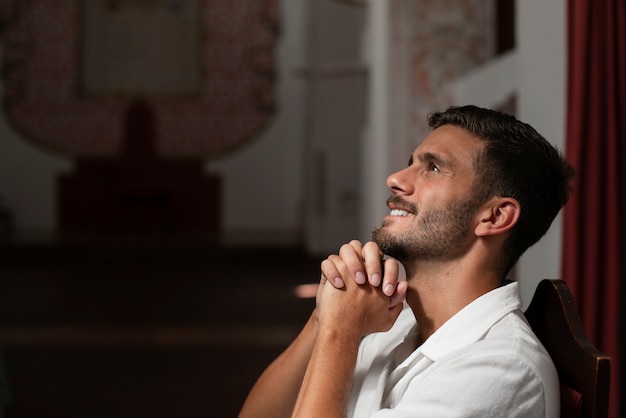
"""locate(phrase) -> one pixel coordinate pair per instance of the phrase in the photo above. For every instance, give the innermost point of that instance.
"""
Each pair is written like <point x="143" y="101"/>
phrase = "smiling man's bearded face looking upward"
<point x="432" y="209"/>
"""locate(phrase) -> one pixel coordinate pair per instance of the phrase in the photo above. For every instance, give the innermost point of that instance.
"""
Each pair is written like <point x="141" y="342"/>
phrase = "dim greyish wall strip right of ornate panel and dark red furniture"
<point x="263" y="182"/>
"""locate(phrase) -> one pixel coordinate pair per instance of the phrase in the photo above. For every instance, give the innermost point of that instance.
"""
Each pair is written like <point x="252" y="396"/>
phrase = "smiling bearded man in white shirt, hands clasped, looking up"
<point x="480" y="190"/>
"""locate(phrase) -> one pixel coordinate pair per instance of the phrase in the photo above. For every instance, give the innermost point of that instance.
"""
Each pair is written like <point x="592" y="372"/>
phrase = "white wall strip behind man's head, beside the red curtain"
<point x="541" y="40"/>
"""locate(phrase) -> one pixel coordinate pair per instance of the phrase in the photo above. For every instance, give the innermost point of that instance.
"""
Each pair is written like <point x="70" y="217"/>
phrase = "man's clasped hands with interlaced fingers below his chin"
<point x="359" y="290"/>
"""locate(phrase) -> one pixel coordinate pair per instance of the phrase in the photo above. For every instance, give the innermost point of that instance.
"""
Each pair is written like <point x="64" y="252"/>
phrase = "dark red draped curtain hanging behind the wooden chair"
<point x="596" y="115"/>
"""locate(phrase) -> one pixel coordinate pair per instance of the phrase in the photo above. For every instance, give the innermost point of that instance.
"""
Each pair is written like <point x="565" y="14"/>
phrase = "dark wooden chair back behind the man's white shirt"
<point x="584" y="371"/>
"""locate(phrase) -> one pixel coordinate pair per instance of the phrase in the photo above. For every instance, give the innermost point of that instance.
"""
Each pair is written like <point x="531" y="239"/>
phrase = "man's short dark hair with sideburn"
<point x="516" y="162"/>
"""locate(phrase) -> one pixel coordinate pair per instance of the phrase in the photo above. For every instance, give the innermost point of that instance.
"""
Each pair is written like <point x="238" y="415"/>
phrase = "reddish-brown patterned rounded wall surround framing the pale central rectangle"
<point x="42" y="70"/>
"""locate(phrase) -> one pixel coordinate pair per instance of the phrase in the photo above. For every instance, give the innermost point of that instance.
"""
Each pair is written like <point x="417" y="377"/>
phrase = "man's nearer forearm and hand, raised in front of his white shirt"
<point x="344" y="315"/>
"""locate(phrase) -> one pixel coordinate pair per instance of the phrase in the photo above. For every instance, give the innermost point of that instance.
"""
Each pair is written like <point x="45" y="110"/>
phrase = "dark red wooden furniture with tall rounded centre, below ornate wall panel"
<point x="140" y="192"/>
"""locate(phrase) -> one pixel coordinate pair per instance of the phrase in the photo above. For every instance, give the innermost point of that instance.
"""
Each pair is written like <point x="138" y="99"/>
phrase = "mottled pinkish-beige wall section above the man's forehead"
<point x="439" y="40"/>
